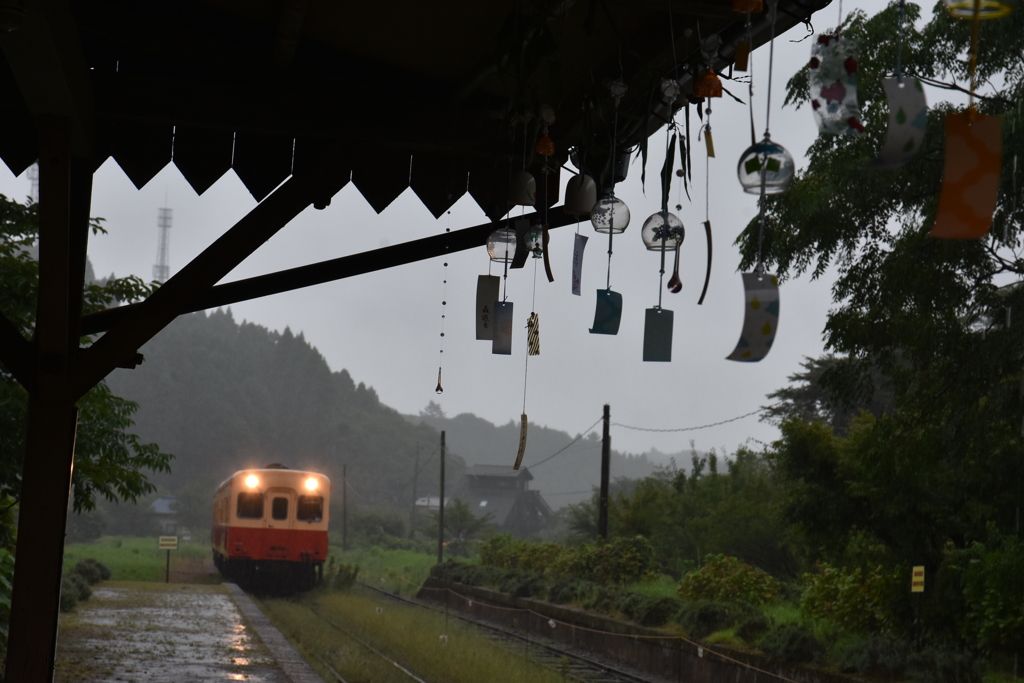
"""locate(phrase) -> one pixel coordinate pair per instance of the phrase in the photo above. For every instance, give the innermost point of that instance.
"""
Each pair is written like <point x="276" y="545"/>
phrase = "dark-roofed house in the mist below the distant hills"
<point x="504" y="493"/>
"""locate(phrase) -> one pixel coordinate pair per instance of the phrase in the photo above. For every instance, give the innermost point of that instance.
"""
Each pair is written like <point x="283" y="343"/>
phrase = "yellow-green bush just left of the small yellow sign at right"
<point x="857" y="602"/>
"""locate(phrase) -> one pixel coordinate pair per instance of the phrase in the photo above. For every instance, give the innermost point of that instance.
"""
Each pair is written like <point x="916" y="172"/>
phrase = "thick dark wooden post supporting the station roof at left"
<point x="65" y="192"/>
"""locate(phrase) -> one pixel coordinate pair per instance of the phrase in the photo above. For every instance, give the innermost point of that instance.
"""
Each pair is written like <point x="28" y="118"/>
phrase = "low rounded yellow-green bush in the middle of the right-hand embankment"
<point x="730" y="580"/>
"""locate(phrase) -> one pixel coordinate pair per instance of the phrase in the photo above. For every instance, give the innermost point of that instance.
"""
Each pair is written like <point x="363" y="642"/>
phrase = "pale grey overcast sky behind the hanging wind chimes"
<point x="385" y="328"/>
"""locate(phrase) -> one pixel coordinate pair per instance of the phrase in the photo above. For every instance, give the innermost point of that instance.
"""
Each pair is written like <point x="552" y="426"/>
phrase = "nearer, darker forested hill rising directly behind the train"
<point x="223" y="396"/>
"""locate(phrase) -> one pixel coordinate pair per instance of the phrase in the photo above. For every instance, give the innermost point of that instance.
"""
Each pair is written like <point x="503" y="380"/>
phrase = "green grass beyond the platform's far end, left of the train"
<point x="133" y="559"/>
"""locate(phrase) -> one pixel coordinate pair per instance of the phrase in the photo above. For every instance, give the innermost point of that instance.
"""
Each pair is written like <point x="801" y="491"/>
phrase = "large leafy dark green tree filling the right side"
<point x="945" y="460"/>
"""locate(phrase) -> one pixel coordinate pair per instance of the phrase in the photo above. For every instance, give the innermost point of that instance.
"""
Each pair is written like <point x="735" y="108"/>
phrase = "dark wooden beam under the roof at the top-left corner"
<point x="46" y="57"/>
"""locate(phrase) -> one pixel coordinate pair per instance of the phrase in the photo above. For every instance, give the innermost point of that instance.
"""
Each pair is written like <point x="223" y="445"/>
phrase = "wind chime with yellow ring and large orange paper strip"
<point x="974" y="146"/>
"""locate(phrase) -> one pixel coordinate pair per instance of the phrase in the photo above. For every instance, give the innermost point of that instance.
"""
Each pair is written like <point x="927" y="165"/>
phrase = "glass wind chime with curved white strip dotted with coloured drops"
<point x="766" y="168"/>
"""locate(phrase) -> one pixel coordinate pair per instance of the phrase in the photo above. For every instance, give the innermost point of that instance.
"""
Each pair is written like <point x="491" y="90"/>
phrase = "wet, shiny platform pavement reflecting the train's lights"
<point x="164" y="633"/>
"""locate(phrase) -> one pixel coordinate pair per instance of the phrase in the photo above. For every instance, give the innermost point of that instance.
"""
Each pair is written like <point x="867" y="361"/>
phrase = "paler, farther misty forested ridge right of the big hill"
<point x="566" y="479"/>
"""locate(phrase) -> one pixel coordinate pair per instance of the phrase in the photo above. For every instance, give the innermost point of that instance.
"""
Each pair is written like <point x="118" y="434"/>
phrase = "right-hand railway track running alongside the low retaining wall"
<point x="573" y="666"/>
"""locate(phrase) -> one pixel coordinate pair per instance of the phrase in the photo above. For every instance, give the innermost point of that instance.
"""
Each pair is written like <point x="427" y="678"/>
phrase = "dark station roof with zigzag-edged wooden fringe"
<point x="444" y="97"/>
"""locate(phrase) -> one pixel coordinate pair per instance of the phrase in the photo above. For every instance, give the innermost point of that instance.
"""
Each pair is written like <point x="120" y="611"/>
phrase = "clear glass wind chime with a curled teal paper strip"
<point x="611" y="217"/>
